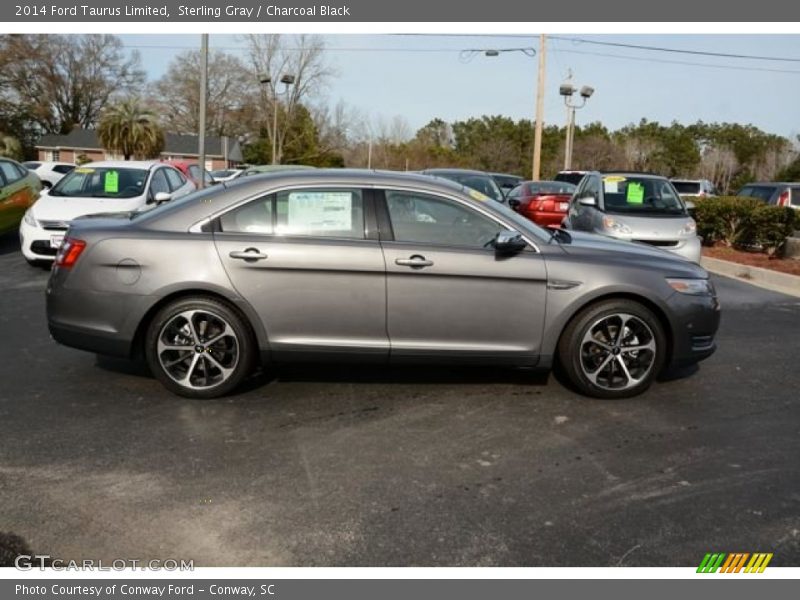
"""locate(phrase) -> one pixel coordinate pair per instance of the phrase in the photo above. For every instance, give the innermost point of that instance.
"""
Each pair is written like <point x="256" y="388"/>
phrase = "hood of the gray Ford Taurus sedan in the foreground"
<point x="581" y="242"/>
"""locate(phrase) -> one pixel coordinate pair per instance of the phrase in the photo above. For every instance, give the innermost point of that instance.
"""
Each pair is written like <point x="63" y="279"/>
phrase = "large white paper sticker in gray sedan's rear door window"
<point x="319" y="211"/>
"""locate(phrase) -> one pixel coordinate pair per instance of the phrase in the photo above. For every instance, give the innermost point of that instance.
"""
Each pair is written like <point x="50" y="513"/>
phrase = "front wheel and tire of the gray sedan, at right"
<point x="626" y="366"/>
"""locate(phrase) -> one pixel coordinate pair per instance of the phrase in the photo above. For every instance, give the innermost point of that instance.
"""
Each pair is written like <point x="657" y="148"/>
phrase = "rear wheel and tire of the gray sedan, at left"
<point x="211" y="370"/>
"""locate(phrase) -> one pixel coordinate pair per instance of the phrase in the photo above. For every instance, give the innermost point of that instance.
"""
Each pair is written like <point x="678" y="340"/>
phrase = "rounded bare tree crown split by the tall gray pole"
<point x="232" y="95"/>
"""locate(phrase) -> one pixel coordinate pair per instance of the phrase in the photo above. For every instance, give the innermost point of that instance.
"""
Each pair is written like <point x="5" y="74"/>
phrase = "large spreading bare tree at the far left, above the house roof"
<point x="65" y="80"/>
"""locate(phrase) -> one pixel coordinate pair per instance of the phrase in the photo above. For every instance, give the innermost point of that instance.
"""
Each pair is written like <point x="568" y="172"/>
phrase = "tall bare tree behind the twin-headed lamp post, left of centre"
<point x="273" y="56"/>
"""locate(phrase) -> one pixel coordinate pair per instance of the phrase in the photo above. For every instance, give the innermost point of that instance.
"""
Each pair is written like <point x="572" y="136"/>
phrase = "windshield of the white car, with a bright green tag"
<point x="102" y="182"/>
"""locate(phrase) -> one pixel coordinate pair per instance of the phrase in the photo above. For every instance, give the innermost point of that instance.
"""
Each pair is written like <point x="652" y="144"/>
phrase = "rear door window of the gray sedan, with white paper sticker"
<point x="336" y="213"/>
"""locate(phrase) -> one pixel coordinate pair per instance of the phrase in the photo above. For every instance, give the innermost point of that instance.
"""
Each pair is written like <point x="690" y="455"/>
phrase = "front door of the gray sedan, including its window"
<point x="448" y="293"/>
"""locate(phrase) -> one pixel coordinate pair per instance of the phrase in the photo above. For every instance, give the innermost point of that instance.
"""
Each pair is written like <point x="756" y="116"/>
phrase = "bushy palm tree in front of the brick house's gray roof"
<point x="130" y="129"/>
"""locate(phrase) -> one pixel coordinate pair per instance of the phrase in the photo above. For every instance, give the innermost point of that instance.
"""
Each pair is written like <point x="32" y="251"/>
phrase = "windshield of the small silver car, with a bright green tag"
<point x="625" y="194"/>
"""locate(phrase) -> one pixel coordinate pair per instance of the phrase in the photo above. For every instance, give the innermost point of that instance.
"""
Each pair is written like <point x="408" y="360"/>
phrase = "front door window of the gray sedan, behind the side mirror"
<point x="425" y="219"/>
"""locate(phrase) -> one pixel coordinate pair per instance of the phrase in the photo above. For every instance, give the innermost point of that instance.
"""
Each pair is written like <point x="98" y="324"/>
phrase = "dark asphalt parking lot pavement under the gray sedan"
<point x="393" y="467"/>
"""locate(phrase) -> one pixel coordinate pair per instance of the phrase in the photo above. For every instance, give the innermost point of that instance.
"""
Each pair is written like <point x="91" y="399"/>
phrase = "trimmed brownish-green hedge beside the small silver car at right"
<point x="744" y="223"/>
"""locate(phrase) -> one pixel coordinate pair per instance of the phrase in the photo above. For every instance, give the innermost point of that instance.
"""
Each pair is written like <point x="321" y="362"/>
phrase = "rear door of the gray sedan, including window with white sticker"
<point x="303" y="259"/>
